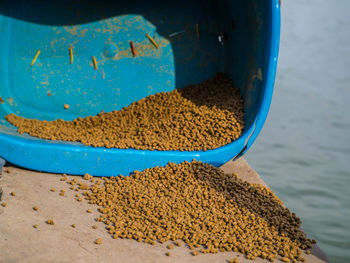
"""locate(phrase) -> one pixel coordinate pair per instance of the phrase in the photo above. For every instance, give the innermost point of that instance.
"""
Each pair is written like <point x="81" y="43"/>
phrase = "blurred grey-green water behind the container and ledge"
<point x="303" y="152"/>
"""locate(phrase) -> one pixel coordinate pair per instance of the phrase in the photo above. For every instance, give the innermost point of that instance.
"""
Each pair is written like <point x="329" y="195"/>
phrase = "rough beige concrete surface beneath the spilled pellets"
<point x="20" y="242"/>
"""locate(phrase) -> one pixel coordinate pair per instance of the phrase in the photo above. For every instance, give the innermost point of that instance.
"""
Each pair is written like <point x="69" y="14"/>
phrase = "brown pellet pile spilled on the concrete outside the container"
<point x="197" y="203"/>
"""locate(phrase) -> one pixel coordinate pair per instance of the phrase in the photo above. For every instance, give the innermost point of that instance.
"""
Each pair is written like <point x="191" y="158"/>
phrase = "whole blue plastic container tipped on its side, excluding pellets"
<point x="249" y="32"/>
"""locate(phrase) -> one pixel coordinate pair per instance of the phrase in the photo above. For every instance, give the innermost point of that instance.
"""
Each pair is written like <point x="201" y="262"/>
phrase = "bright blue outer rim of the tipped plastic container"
<point x="57" y="157"/>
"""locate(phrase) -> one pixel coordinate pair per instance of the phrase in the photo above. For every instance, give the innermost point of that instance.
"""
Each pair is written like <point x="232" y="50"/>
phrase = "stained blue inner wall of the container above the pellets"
<point x="104" y="29"/>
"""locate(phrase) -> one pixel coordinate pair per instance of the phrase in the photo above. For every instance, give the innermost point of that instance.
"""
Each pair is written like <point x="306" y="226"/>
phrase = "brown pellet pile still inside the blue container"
<point x="197" y="117"/>
